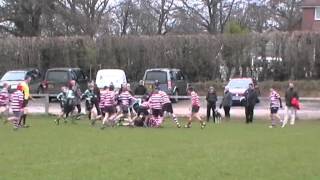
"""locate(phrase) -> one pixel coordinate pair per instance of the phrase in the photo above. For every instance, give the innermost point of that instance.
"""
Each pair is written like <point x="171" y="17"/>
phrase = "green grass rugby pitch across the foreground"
<point x="230" y="150"/>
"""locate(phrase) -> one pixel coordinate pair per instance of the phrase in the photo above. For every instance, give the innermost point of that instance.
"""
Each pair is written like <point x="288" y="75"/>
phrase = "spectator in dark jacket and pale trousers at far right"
<point x="290" y="110"/>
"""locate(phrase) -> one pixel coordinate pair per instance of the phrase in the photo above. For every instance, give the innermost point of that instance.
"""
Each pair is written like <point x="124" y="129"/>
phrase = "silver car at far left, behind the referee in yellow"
<point x="15" y="77"/>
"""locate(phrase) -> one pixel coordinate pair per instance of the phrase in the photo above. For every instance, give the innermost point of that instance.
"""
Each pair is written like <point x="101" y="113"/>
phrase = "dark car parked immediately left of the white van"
<point x="55" y="78"/>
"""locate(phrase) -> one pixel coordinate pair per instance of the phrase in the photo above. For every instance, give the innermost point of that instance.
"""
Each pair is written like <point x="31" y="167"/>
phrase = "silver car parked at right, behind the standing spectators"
<point x="238" y="86"/>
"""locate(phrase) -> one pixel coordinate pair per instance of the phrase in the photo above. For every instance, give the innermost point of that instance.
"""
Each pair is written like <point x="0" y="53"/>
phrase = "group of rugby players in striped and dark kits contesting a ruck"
<point x="121" y="107"/>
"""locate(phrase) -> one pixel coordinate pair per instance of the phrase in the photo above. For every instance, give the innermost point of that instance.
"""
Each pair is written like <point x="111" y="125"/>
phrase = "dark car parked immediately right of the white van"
<point x="172" y="81"/>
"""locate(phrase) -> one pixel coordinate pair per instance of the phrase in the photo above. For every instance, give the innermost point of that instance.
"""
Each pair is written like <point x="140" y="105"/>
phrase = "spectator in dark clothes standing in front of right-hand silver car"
<point x="251" y="99"/>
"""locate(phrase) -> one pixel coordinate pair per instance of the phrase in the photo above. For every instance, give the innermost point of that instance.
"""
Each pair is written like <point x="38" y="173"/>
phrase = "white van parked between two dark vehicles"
<point x="107" y="76"/>
